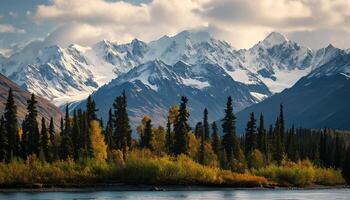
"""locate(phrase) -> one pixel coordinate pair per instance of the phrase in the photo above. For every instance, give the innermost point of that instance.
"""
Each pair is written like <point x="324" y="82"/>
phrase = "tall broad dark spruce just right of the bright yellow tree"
<point x="122" y="129"/>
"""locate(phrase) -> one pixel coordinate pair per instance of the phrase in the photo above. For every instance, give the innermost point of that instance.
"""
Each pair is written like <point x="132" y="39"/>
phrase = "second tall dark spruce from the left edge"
<point x="31" y="128"/>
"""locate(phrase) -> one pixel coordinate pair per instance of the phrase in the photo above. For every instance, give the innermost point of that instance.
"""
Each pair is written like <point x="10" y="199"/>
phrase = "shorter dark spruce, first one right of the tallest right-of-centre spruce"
<point x="250" y="136"/>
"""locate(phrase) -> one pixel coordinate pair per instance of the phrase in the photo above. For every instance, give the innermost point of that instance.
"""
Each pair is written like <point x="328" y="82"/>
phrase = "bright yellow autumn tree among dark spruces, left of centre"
<point x="97" y="140"/>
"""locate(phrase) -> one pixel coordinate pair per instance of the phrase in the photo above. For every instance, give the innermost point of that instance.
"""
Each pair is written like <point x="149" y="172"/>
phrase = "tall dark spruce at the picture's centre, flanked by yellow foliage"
<point x="181" y="129"/>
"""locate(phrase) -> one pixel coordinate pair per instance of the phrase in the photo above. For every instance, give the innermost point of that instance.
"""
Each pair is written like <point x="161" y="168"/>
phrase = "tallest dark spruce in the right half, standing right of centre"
<point x="229" y="141"/>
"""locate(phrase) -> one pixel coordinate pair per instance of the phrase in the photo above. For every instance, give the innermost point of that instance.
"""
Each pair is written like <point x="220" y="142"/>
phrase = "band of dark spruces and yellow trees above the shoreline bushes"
<point x="84" y="136"/>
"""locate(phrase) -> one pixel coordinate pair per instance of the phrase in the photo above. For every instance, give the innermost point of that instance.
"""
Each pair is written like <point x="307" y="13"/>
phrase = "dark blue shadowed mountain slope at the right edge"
<point x="320" y="99"/>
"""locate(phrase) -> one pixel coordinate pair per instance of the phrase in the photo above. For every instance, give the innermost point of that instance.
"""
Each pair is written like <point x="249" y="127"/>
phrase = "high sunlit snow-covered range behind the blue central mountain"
<point x="70" y="74"/>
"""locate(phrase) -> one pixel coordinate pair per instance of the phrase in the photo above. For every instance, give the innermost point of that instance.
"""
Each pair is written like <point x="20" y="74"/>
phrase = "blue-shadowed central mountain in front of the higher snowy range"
<point x="155" y="86"/>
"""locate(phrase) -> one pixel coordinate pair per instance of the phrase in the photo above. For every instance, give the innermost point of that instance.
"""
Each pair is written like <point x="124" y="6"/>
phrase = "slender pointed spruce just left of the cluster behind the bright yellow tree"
<point x="66" y="148"/>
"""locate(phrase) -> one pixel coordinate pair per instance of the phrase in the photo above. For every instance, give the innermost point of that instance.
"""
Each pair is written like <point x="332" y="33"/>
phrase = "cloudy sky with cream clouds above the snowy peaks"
<point x="242" y="23"/>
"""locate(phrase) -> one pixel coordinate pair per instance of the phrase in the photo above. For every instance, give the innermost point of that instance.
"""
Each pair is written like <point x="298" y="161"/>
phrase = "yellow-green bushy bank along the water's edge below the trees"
<point x="141" y="167"/>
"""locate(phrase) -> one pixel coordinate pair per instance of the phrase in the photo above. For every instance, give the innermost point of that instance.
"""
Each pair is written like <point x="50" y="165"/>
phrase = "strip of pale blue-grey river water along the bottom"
<point x="317" y="194"/>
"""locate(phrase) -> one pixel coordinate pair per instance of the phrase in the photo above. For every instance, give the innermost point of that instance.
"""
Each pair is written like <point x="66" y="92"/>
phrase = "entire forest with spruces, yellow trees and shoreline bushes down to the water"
<point x="86" y="151"/>
